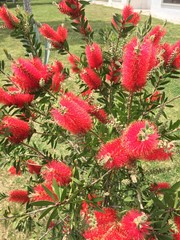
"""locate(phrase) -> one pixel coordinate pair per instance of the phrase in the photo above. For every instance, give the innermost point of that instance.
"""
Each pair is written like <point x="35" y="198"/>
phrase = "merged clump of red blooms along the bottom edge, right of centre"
<point x="133" y="225"/>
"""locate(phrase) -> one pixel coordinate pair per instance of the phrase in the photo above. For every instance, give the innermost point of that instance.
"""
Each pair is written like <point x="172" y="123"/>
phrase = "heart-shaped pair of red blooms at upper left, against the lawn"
<point x="57" y="38"/>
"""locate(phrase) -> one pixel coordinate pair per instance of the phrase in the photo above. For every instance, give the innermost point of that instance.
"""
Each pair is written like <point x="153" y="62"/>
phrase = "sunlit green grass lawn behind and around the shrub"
<point x="99" y="17"/>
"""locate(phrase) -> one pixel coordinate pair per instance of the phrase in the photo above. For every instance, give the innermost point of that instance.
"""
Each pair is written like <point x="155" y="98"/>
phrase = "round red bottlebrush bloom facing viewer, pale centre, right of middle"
<point x="140" y="139"/>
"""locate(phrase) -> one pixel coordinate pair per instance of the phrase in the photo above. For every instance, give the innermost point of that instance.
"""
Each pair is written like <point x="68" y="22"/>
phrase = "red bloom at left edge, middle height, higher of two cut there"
<point x="15" y="97"/>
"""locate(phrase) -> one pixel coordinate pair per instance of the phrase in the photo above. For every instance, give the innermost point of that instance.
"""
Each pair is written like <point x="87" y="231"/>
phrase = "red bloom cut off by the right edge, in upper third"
<point x="171" y="54"/>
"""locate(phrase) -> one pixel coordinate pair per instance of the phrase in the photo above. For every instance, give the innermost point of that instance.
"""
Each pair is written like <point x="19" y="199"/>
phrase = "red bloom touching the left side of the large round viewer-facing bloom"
<point x="113" y="155"/>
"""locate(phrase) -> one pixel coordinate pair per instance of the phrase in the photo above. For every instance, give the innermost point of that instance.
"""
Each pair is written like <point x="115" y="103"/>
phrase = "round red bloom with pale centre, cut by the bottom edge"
<point x="135" y="225"/>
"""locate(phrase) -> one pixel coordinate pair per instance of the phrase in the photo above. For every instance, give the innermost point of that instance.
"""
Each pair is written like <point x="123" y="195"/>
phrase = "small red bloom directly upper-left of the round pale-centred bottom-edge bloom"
<point x="109" y="215"/>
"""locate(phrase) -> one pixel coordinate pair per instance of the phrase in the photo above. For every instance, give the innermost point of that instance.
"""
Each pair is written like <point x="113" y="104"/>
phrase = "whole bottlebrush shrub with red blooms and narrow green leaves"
<point x="83" y="147"/>
